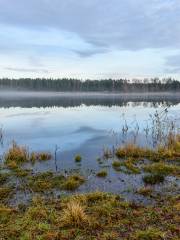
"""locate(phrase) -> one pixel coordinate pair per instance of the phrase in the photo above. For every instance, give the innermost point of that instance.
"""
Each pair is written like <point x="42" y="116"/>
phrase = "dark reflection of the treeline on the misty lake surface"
<point x="78" y="101"/>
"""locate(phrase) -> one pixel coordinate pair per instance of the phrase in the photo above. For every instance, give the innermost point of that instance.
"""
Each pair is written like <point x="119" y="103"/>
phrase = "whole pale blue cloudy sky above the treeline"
<point x="92" y="39"/>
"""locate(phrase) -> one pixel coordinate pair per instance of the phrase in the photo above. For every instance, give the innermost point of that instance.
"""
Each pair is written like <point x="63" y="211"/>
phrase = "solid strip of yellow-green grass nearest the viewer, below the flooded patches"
<point x="91" y="216"/>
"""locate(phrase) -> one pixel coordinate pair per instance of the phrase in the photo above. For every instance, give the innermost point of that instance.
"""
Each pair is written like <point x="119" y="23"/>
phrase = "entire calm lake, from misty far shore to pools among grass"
<point x="84" y="124"/>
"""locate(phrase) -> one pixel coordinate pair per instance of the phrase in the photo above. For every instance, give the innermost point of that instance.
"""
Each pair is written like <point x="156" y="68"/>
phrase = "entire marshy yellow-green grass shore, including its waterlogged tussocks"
<point x="54" y="211"/>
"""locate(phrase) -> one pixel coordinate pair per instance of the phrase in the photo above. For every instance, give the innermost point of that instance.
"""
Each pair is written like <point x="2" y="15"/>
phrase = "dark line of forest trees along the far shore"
<point x="109" y="85"/>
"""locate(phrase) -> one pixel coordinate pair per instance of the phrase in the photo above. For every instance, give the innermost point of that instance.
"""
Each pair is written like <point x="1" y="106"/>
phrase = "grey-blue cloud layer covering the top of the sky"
<point x="125" y="24"/>
